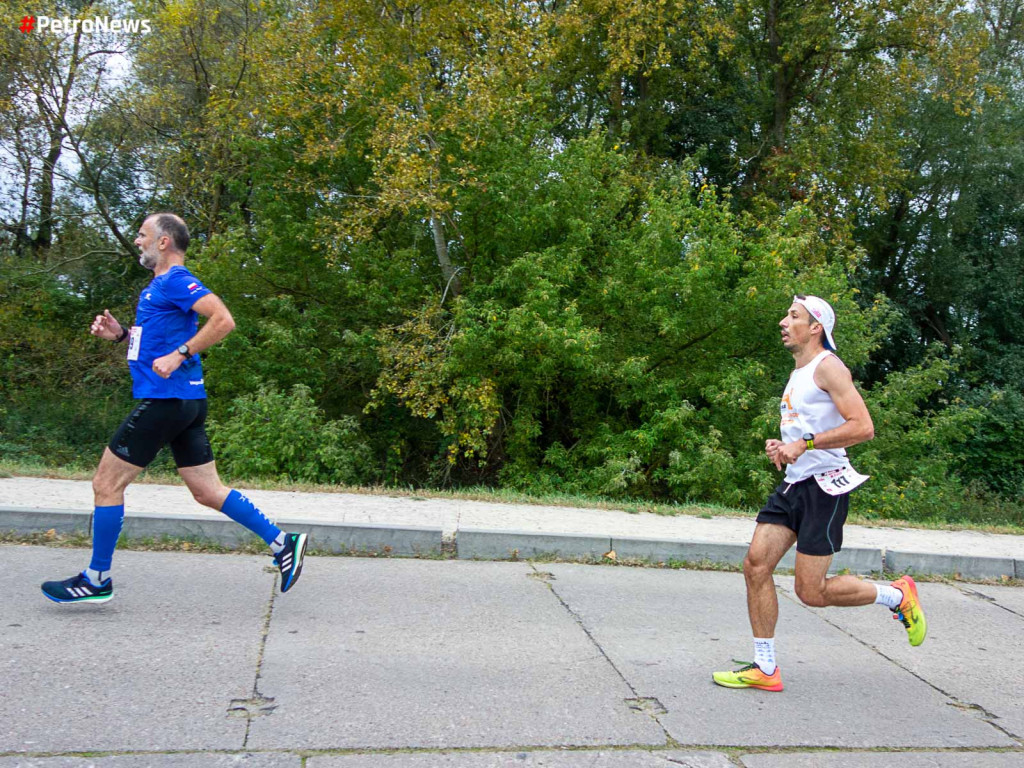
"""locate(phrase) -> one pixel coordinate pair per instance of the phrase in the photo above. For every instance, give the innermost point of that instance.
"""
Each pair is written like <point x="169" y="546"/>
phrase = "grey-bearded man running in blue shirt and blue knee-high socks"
<point x="167" y="380"/>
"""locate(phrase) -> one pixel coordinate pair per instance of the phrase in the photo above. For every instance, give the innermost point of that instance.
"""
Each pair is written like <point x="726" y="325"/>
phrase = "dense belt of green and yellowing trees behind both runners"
<point x="543" y="245"/>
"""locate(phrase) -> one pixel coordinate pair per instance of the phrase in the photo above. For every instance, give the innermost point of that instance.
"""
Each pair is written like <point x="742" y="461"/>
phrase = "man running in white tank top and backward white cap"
<point x="823" y="414"/>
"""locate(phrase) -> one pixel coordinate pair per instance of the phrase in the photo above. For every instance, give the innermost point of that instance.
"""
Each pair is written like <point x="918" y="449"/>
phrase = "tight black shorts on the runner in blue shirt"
<point x="157" y="422"/>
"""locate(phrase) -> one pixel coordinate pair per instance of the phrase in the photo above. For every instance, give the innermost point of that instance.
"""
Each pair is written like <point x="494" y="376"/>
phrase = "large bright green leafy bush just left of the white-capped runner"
<point x="630" y="344"/>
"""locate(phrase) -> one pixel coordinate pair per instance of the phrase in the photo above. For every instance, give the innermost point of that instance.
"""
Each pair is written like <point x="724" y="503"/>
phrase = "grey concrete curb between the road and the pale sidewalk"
<point x="491" y="544"/>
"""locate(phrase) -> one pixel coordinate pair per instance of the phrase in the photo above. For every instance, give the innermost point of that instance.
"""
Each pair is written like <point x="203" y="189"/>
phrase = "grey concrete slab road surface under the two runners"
<point x="397" y="663"/>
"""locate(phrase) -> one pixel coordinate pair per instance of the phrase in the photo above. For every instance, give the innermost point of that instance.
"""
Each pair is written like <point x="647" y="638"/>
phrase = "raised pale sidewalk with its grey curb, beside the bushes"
<point x="408" y="526"/>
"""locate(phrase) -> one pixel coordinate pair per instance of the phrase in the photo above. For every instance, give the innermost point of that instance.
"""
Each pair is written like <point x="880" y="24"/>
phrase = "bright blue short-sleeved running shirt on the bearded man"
<point x="167" y="321"/>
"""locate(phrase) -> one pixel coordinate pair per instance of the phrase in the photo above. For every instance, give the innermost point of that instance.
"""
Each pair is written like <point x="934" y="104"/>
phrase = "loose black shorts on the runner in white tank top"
<point x="817" y="518"/>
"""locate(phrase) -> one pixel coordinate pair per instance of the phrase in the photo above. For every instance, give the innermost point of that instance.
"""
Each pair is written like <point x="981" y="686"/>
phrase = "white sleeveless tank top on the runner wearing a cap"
<point x="807" y="408"/>
